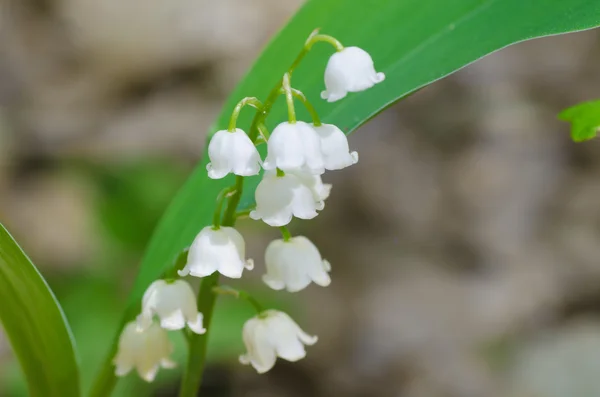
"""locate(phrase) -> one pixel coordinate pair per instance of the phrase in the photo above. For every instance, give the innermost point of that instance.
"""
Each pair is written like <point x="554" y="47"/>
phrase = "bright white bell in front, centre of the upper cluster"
<point x="294" y="147"/>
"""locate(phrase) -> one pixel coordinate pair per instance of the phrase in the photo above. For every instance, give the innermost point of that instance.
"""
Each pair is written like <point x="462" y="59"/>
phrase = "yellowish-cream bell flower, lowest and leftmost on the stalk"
<point x="144" y="350"/>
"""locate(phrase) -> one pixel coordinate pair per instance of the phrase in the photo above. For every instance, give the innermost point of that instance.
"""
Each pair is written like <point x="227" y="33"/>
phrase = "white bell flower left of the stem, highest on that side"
<point x="232" y="152"/>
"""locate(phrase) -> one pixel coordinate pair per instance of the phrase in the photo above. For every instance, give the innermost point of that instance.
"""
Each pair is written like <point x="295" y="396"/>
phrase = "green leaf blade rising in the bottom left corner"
<point x="35" y="325"/>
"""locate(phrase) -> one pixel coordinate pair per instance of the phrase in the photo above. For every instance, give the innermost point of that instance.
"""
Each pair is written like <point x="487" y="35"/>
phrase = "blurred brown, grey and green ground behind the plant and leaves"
<point x="465" y="244"/>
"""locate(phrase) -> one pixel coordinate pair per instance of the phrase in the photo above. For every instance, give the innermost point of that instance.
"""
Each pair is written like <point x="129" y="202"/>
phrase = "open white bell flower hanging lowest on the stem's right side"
<point x="270" y="335"/>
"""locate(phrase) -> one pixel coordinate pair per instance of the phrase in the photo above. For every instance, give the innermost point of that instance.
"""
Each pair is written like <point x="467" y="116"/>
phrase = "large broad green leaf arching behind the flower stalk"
<point x="414" y="42"/>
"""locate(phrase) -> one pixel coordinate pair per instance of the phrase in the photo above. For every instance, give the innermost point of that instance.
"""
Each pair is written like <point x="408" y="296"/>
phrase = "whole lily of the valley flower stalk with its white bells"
<point x="298" y="154"/>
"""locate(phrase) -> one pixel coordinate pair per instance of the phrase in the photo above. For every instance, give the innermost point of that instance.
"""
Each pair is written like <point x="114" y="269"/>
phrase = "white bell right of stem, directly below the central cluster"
<point x="293" y="264"/>
